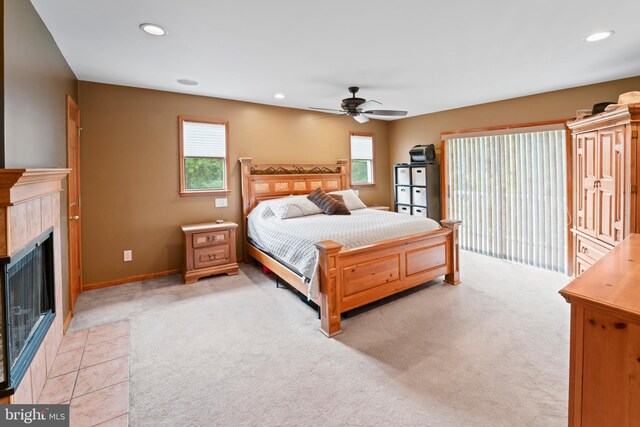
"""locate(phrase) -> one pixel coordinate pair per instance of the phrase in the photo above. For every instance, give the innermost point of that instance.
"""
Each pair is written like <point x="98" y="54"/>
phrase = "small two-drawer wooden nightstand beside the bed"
<point x="208" y="249"/>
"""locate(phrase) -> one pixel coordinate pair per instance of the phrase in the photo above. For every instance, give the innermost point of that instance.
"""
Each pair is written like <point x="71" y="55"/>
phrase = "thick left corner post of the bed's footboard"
<point x="329" y="287"/>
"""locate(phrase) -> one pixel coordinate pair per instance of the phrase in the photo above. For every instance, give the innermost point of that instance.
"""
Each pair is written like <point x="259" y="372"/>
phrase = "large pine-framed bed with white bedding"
<point x="358" y="268"/>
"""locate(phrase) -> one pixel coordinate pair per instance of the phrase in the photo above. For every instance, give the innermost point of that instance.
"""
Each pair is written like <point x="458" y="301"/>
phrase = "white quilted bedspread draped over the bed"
<point x="292" y="240"/>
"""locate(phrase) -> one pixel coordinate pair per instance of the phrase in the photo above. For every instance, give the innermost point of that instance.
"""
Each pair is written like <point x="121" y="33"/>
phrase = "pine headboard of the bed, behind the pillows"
<point x="270" y="181"/>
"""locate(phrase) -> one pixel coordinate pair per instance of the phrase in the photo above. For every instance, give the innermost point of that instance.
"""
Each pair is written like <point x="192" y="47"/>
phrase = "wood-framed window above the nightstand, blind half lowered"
<point x="204" y="166"/>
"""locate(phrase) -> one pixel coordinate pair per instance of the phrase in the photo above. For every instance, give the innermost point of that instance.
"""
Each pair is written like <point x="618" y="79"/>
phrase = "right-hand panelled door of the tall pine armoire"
<point x="610" y="184"/>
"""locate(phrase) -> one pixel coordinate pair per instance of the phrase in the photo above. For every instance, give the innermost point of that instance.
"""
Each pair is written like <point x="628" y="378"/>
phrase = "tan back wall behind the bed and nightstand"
<point x="130" y="172"/>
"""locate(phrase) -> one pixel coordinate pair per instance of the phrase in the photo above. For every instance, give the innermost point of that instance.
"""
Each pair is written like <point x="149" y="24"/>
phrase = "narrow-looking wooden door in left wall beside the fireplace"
<point x="73" y="192"/>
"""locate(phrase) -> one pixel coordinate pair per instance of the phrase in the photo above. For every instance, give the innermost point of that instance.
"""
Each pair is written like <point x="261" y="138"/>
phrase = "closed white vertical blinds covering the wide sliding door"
<point x="510" y="191"/>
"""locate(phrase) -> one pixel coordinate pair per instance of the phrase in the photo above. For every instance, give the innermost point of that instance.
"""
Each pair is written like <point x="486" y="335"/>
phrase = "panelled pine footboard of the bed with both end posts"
<point x="351" y="278"/>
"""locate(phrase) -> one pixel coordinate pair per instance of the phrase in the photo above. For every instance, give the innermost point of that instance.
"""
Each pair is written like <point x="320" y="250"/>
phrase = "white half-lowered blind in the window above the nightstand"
<point x="204" y="139"/>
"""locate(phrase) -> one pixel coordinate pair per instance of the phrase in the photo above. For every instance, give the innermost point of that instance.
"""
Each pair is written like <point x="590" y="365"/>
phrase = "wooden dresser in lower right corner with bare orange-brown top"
<point x="604" y="378"/>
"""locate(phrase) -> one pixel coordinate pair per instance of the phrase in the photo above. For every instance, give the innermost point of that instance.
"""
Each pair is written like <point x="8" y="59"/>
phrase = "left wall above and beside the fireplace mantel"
<point x="37" y="79"/>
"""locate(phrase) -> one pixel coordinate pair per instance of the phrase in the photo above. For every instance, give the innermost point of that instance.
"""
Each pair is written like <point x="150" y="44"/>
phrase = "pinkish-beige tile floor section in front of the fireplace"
<point x="91" y="373"/>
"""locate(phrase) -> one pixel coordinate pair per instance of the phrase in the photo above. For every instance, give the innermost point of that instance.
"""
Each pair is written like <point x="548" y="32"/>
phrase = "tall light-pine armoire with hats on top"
<point x="605" y="183"/>
